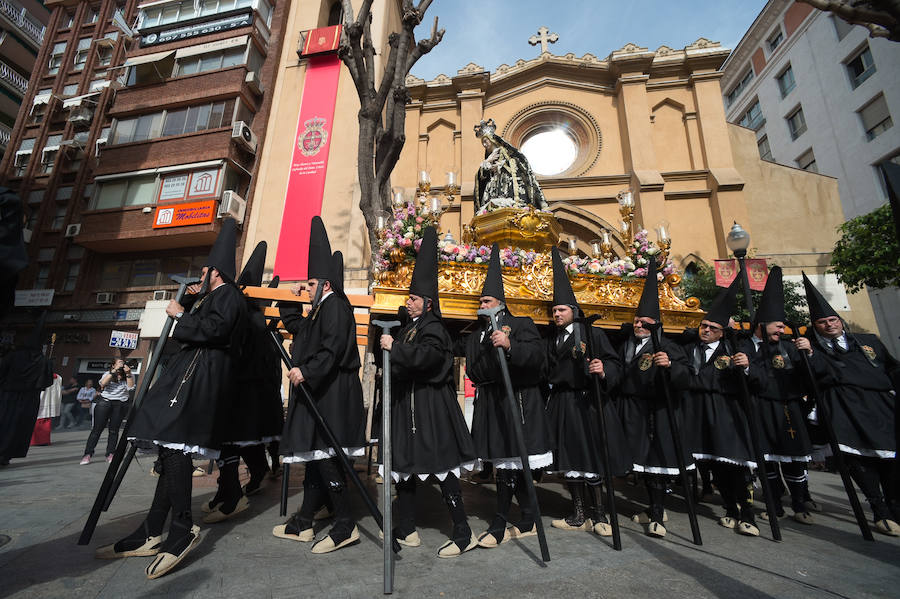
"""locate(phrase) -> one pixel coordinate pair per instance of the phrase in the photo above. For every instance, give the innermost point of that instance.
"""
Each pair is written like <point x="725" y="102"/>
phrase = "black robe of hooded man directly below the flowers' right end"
<point x="642" y="406"/>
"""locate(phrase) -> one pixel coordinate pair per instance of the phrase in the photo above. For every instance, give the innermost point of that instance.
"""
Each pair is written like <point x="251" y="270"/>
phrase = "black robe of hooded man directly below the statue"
<point x="495" y="439"/>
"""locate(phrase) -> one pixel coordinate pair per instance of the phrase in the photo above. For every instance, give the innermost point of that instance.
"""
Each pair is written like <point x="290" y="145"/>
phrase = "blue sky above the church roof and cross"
<point x="493" y="32"/>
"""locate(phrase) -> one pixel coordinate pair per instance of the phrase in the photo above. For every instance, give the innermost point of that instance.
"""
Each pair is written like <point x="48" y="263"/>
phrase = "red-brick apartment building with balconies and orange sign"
<point x="141" y="129"/>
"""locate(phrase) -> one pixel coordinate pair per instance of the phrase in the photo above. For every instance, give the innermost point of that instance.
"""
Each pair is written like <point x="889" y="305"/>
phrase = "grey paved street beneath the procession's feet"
<point x="44" y="500"/>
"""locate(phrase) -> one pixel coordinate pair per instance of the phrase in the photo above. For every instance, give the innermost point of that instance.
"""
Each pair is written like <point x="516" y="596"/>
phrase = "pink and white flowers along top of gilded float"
<point x="404" y="234"/>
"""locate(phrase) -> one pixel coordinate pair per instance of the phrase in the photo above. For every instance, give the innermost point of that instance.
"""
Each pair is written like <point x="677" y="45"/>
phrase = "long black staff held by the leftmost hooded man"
<point x="120" y="462"/>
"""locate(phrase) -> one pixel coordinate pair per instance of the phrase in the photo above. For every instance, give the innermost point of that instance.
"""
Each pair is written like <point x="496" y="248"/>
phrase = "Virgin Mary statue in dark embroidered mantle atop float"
<point x="505" y="178"/>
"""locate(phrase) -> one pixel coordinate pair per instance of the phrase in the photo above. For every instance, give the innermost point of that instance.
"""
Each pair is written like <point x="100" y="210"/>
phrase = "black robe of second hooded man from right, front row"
<point x="778" y="379"/>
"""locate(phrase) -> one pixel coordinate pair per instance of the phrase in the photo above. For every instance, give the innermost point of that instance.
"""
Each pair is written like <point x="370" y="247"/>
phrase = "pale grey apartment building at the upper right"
<point x="821" y="95"/>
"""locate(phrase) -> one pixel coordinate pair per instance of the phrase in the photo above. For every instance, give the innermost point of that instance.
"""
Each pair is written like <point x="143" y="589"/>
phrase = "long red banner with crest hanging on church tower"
<point x="306" y="182"/>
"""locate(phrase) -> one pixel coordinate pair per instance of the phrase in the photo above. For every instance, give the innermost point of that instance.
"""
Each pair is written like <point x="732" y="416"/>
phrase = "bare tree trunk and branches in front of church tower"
<point x="382" y="104"/>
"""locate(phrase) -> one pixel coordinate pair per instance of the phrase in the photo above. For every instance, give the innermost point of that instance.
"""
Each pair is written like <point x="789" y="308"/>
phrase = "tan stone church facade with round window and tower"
<point x="651" y="121"/>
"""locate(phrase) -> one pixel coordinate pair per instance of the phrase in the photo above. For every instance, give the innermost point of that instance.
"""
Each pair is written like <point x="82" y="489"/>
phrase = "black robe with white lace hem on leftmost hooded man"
<point x="189" y="406"/>
